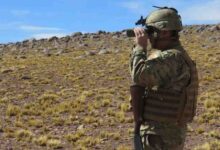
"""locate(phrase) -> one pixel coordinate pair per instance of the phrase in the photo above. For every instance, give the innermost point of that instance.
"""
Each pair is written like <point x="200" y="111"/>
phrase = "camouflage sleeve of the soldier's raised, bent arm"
<point x="160" y="71"/>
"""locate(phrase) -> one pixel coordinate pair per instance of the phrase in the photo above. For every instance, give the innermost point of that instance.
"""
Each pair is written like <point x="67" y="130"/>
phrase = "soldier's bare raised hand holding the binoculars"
<point x="141" y="37"/>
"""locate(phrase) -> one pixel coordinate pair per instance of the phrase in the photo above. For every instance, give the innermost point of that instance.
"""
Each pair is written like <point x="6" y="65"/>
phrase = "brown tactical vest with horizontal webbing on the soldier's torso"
<point x="171" y="106"/>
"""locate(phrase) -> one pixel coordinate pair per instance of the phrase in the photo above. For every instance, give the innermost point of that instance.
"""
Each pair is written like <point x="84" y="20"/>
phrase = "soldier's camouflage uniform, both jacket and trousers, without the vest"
<point x="161" y="69"/>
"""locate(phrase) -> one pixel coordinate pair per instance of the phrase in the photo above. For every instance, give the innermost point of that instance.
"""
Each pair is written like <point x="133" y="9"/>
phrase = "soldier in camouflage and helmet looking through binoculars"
<point x="164" y="83"/>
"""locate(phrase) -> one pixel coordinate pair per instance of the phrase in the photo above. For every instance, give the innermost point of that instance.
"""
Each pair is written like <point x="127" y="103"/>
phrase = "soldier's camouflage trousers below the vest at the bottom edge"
<point x="158" y="136"/>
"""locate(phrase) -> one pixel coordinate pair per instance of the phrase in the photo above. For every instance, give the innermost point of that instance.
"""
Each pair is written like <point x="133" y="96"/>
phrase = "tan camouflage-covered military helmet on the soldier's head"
<point x="165" y="19"/>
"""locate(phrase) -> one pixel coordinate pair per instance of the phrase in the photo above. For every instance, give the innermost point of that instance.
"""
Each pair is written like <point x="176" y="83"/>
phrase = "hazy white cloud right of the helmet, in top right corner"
<point x="204" y="11"/>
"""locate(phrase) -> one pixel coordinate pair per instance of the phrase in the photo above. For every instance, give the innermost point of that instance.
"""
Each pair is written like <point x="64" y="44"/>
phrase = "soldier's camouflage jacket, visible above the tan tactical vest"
<point x="159" y="69"/>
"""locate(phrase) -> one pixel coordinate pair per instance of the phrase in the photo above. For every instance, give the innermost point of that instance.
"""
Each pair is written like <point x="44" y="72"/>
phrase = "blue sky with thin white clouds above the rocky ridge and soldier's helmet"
<point x="24" y="19"/>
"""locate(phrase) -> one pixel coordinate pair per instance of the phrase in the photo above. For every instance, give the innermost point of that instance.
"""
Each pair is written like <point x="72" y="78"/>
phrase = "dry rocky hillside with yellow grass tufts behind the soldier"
<point x="73" y="92"/>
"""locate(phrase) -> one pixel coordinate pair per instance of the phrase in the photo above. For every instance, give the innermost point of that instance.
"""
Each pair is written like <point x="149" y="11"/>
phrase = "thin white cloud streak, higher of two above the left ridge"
<point x="38" y="28"/>
